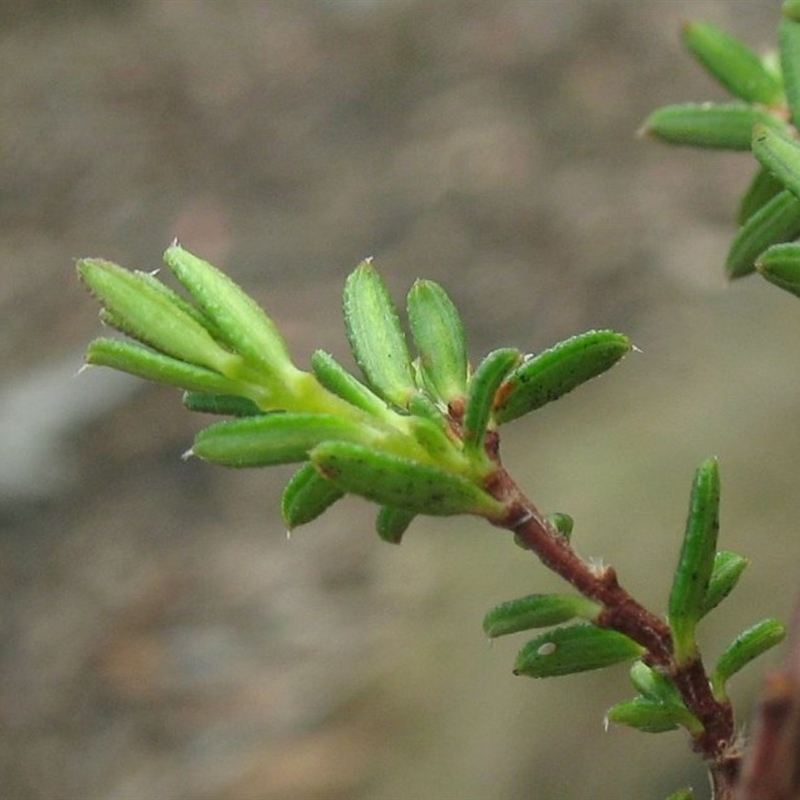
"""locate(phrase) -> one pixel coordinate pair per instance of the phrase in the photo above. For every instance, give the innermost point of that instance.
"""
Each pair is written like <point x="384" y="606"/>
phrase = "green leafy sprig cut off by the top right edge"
<point x="764" y="119"/>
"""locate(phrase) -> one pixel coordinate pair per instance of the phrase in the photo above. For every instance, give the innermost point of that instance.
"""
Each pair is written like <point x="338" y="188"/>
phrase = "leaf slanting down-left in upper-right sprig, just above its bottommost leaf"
<point x="776" y="222"/>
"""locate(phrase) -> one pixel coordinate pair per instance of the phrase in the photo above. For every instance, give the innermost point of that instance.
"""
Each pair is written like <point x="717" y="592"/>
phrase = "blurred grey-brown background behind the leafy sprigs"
<point x="160" y="637"/>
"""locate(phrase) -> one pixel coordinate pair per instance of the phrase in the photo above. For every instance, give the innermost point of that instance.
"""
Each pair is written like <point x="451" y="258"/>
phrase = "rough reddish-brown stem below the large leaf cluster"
<point x="621" y="612"/>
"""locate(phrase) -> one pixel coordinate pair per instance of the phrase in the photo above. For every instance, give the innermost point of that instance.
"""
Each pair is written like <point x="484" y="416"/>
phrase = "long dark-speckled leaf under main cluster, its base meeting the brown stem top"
<point x="390" y="480"/>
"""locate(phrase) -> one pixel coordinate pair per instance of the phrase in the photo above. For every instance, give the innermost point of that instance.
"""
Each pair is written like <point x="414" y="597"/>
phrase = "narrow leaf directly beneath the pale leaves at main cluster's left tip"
<point x="145" y="363"/>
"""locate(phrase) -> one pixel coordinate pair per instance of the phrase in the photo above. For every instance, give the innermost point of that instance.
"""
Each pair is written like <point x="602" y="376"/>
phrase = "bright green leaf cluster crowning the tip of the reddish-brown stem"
<point x="417" y="434"/>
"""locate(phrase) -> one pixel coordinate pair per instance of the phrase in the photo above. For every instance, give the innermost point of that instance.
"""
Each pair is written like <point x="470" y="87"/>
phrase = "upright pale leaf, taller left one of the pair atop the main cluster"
<point x="376" y="336"/>
